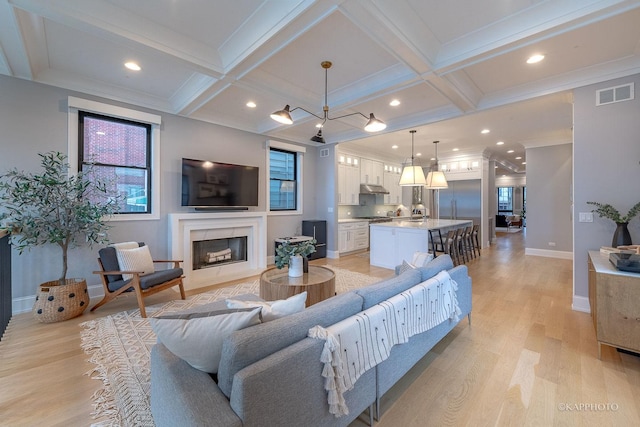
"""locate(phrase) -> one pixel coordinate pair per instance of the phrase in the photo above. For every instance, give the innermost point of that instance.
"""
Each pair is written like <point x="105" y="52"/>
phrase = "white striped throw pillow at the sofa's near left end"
<point x="197" y="337"/>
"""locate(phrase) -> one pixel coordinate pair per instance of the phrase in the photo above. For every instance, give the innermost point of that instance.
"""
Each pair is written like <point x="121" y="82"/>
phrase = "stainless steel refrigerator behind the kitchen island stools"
<point x="462" y="200"/>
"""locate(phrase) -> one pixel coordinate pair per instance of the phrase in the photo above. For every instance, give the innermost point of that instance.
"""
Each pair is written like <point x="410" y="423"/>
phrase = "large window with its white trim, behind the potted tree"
<point x="123" y="145"/>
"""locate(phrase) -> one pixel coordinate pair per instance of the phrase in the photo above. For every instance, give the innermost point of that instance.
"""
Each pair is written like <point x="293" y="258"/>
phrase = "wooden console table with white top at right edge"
<point x="614" y="297"/>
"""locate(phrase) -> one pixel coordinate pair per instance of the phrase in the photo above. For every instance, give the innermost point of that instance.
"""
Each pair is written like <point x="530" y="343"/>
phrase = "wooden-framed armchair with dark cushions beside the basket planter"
<point x="115" y="284"/>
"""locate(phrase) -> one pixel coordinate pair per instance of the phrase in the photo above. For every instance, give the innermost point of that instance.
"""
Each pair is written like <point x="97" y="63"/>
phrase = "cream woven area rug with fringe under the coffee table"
<point x="120" y="344"/>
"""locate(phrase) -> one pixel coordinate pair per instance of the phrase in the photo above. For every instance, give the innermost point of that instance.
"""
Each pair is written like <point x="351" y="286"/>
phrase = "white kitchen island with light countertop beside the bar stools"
<point x="393" y="242"/>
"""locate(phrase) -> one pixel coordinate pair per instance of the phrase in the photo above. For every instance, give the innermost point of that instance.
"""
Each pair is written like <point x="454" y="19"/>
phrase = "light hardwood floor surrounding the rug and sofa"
<point x="526" y="359"/>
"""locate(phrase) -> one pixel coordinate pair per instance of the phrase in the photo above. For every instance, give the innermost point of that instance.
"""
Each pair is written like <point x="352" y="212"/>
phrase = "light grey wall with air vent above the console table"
<point x="606" y="169"/>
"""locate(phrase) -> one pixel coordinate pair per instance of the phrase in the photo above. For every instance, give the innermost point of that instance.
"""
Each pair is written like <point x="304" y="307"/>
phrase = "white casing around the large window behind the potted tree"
<point x="78" y="105"/>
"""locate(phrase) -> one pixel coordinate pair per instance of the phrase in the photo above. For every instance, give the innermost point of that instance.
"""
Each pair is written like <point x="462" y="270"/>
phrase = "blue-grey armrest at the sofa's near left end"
<point x="184" y="396"/>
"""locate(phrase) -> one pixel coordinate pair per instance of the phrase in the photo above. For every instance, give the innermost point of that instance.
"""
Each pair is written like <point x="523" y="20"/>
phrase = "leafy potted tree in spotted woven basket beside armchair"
<point x="55" y="207"/>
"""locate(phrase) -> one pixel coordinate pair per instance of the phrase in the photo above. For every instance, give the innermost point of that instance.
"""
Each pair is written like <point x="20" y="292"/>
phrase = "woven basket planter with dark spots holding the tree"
<point x="55" y="302"/>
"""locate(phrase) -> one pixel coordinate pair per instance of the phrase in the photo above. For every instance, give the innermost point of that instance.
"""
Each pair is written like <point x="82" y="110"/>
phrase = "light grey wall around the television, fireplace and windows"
<point x="33" y="119"/>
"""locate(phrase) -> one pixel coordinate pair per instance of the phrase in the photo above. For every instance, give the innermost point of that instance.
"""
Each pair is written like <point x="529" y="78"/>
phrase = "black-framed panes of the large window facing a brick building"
<point x="120" y="154"/>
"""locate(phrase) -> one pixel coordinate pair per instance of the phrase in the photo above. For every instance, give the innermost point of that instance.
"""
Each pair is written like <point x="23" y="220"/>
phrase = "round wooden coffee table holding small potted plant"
<point x="319" y="282"/>
